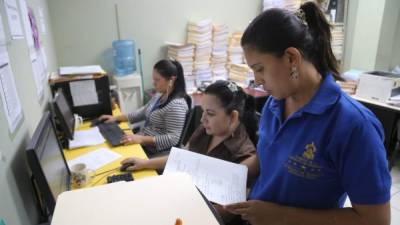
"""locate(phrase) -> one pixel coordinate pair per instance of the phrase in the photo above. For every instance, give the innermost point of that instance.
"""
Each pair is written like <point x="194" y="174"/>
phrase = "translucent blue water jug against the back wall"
<point x="124" y="57"/>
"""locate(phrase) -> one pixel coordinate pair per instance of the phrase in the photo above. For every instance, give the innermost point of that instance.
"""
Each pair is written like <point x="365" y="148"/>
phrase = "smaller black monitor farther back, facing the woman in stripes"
<point x="64" y="114"/>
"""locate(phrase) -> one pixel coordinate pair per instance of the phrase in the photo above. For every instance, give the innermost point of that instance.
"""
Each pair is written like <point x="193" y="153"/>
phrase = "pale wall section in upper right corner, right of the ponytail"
<point x="372" y="35"/>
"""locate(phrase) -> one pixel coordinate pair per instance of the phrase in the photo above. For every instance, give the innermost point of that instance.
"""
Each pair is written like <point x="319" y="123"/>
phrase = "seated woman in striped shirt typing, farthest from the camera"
<point x="164" y="114"/>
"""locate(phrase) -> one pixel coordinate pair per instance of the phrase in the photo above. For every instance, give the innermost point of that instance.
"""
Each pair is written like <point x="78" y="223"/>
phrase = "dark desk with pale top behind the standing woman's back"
<point x="389" y="115"/>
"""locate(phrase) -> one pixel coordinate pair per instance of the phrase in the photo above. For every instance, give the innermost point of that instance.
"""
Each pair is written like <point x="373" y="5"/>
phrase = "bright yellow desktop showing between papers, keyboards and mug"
<point x="125" y="151"/>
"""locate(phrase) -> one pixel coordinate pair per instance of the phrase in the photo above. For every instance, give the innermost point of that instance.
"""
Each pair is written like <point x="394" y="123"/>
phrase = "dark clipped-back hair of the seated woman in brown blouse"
<point x="232" y="97"/>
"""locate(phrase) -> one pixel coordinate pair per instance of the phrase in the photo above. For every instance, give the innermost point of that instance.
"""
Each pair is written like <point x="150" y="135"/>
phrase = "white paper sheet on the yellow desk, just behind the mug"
<point x="96" y="159"/>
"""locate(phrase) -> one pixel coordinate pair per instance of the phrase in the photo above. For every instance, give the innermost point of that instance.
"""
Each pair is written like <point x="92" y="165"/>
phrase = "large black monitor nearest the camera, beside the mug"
<point x="50" y="171"/>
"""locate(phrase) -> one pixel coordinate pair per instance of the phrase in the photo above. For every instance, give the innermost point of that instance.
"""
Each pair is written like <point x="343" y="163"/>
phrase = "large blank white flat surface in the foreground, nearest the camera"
<point x="154" y="201"/>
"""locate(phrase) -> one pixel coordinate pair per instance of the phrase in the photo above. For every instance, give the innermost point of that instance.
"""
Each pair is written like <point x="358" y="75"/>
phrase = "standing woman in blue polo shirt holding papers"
<point x="316" y="144"/>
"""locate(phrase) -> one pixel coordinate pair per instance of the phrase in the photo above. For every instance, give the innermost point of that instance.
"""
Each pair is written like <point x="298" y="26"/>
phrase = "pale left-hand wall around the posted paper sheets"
<point x="16" y="196"/>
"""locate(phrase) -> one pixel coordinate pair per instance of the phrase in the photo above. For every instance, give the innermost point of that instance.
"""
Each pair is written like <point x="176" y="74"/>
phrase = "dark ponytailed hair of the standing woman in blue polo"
<point x="275" y="30"/>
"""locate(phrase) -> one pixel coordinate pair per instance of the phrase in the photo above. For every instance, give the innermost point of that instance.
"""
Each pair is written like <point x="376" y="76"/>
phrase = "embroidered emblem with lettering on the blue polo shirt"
<point x="303" y="165"/>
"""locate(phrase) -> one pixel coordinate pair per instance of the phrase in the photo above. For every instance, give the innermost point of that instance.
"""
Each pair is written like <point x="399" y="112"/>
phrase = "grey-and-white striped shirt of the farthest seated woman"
<point x="165" y="124"/>
